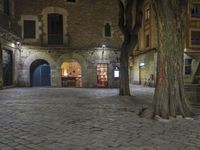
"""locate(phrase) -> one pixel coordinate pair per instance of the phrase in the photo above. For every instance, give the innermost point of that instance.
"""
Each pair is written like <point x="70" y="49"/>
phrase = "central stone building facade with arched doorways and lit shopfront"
<point x="65" y="43"/>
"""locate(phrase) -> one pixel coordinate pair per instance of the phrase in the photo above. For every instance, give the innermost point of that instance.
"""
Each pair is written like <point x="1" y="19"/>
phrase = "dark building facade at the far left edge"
<point x="9" y="52"/>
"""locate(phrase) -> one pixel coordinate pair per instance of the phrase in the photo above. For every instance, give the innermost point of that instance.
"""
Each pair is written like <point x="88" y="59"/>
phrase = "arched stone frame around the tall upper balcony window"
<point x="44" y="19"/>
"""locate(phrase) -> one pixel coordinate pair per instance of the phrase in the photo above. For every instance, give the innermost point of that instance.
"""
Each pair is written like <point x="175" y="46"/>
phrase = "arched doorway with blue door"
<point x="40" y="73"/>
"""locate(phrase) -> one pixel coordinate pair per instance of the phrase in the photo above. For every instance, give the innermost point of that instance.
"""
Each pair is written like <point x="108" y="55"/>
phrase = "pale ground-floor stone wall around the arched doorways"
<point x="88" y="59"/>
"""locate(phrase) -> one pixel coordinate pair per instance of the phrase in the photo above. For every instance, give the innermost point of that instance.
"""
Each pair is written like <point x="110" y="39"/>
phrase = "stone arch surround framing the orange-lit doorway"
<point x="77" y="58"/>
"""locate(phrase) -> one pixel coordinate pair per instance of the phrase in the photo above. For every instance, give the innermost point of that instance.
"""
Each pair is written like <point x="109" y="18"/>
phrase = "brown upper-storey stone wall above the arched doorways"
<point x="83" y="21"/>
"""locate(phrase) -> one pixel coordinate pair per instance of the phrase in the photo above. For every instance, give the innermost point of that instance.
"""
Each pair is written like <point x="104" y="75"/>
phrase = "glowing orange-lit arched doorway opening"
<point x="71" y="74"/>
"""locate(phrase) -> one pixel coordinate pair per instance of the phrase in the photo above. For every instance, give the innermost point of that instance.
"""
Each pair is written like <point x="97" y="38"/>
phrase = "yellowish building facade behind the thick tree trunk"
<point x="144" y="59"/>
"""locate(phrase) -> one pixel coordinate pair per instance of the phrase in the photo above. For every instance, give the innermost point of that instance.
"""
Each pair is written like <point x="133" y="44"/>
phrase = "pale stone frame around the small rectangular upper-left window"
<point x="37" y="31"/>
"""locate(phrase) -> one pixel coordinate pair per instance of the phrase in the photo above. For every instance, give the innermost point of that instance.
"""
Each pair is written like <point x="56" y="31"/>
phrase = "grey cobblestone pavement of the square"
<point x="88" y="119"/>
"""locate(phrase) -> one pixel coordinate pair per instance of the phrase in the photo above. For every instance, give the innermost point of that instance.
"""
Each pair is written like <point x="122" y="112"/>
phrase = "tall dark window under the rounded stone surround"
<point x="55" y="29"/>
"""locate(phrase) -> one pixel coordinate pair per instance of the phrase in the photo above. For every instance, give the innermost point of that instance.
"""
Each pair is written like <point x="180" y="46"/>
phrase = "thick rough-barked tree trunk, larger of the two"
<point x="169" y="98"/>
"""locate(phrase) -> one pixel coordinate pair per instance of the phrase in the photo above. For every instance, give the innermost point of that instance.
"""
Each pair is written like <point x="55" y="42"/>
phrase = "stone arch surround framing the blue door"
<point x="25" y="72"/>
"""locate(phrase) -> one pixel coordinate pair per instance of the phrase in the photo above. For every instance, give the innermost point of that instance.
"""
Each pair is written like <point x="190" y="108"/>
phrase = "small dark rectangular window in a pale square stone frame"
<point x="29" y="29"/>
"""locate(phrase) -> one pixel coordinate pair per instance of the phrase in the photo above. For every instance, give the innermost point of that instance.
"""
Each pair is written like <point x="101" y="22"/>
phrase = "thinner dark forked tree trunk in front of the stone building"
<point x="130" y="31"/>
